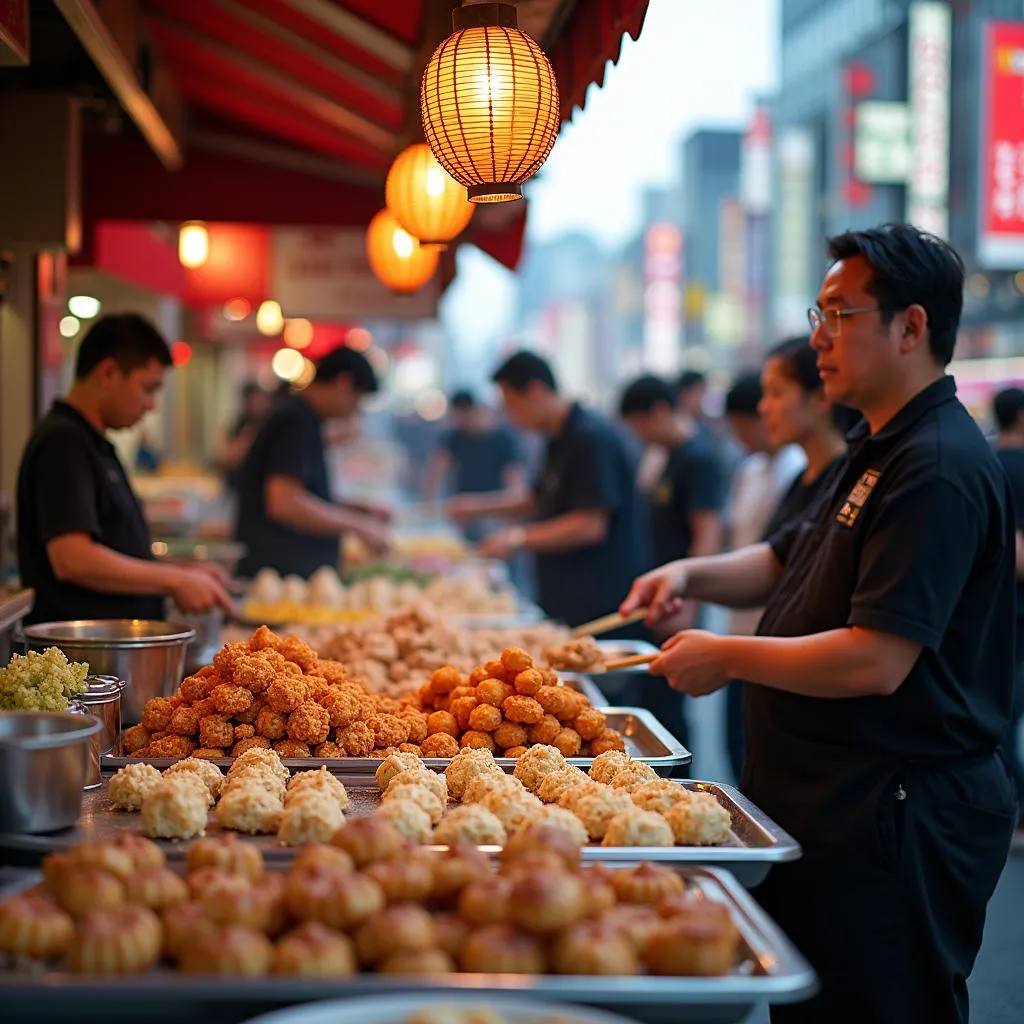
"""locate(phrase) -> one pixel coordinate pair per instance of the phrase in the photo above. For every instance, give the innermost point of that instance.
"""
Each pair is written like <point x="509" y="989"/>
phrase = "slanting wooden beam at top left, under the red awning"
<point x="117" y="70"/>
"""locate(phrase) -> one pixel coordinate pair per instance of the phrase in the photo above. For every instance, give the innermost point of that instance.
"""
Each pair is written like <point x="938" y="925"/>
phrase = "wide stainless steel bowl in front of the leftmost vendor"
<point x="149" y="656"/>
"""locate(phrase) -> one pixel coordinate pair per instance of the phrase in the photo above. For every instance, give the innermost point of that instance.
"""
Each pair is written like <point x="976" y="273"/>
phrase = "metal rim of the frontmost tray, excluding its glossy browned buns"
<point x="771" y="971"/>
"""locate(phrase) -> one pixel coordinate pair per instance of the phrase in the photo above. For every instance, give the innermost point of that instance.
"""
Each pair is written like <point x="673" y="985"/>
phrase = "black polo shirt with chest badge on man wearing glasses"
<point x="916" y="539"/>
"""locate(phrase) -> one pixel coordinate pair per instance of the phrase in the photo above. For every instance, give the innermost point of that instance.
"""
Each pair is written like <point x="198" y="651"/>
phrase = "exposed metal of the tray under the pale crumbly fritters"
<point x="756" y="843"/>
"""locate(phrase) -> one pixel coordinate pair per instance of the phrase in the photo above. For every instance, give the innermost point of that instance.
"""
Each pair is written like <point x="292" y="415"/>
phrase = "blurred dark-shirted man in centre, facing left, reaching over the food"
<point x="585" y="520"/>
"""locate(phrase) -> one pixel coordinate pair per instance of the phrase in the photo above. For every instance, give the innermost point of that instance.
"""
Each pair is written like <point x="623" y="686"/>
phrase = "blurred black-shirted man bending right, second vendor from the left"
<point x="287" y="521"/>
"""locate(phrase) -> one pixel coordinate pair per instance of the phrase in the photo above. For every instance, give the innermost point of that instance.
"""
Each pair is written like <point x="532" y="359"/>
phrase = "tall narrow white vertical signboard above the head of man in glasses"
<point x="928" y="189"/>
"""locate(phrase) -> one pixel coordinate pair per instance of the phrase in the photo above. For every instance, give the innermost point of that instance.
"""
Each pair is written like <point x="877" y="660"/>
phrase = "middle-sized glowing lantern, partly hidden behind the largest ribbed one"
<point x="425" y="199"/>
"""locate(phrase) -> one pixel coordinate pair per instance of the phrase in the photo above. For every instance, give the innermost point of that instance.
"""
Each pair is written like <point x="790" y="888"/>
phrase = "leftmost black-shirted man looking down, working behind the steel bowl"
<point x="83" y="543"/>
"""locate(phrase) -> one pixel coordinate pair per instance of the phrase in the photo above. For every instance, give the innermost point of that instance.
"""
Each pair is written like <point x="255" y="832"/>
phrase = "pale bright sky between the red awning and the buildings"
<point x="696" y="65"/>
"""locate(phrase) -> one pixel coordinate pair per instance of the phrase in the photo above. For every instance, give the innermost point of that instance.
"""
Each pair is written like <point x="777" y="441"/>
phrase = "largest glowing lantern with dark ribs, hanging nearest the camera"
<point x="490" y="103"/>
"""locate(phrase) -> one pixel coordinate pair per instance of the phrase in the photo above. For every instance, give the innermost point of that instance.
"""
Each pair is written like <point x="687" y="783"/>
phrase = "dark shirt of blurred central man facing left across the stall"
<point x="587" y="467"/>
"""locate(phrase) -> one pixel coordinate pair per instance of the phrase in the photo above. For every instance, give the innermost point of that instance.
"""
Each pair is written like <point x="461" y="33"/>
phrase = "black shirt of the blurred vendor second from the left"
<point x="289" y="444"/>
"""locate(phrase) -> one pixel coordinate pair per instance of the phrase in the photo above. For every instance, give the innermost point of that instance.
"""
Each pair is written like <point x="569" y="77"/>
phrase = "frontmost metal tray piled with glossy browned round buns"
<point x="370" y="914"/>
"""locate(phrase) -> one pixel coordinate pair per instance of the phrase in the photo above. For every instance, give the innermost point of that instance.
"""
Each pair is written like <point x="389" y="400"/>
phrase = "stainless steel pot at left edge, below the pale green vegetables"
<point x="45" y="759"/>
